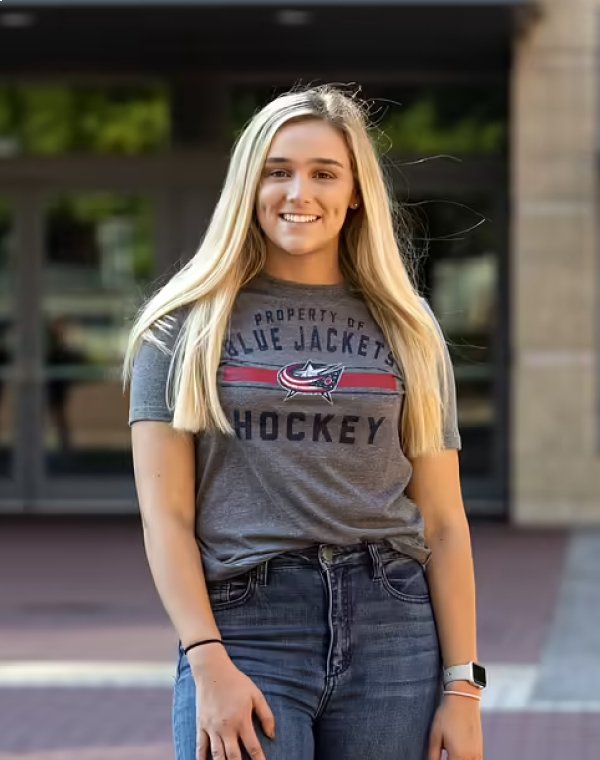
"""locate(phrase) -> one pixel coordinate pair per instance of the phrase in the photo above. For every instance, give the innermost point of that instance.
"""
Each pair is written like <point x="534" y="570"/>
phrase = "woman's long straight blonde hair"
<point x="233" y="251"/>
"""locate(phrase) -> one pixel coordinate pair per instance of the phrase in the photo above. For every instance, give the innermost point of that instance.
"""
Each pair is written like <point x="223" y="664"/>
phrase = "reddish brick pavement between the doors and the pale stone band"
<point x="87" y="584"/>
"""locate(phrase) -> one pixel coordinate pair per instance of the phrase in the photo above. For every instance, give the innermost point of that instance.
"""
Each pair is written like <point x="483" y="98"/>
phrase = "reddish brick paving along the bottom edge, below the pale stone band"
<point x="112" y="726"/>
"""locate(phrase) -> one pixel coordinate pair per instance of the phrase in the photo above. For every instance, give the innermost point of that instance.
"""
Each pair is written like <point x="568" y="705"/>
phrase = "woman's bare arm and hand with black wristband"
<point x="164" y="466"/>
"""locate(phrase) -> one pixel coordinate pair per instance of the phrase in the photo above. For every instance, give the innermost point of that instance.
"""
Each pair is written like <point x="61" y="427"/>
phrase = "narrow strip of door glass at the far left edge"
<point x="7" y="394"/>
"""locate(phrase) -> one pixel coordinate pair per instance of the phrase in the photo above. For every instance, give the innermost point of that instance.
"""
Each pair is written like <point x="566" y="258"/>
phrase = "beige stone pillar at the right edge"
<point x="555" y="289"/>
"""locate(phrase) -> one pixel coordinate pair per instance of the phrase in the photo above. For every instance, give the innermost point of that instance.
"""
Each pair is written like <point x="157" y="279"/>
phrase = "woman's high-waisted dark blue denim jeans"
<point x="342" y="642"/>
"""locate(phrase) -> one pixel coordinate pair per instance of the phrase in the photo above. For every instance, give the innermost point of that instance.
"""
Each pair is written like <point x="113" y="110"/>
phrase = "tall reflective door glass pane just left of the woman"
<point x="98" y="263"/>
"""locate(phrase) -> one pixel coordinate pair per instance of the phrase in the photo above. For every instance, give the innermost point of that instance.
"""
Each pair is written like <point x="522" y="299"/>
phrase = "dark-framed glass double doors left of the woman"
<point x="82" y="244"/>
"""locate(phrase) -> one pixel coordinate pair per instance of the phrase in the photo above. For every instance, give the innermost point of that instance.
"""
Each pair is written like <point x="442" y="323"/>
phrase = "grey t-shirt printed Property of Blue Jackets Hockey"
<point x="314" y="395"/>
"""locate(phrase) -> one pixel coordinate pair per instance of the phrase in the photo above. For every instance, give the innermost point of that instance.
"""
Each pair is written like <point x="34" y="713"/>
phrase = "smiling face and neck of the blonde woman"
<point x="303" y="197"/>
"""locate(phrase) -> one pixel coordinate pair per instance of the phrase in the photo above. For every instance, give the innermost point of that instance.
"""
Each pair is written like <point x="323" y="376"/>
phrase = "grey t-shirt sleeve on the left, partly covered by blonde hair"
<point x="147" y="391"/>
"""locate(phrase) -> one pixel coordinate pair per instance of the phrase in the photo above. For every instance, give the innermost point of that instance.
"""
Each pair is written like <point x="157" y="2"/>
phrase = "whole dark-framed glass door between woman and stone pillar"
<point x="464" y="277"/>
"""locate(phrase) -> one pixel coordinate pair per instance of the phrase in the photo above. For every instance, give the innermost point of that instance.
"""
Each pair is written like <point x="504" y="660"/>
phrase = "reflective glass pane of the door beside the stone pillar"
<point x="461" y="275"/>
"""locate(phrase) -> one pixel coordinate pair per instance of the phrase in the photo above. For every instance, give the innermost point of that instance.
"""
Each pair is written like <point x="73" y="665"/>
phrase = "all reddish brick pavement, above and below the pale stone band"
<point x="80" y="590"/>
